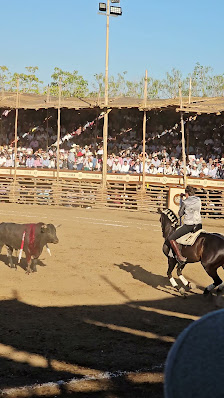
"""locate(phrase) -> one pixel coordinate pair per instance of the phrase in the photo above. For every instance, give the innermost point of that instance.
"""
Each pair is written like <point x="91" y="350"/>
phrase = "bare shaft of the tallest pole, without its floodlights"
<point x="105" y="125"/>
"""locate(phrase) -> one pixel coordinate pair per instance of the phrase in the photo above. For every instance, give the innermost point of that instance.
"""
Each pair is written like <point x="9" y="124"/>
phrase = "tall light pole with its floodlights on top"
<point x="106" y="9"/>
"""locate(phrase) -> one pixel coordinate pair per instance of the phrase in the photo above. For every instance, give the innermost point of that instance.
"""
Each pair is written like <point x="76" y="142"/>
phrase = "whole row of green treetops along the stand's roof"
<point x="204" y="83"/>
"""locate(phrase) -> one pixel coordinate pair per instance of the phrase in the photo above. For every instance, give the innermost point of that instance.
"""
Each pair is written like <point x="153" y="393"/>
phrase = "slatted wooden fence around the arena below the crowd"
<point x="119" y="194"/>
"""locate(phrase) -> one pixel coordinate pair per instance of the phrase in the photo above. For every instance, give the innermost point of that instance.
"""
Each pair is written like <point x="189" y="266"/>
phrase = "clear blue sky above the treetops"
<point x="156" y="35"/>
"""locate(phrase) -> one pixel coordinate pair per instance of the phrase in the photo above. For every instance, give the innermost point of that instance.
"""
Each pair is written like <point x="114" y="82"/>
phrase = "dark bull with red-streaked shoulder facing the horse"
<point x="36" y="237"/>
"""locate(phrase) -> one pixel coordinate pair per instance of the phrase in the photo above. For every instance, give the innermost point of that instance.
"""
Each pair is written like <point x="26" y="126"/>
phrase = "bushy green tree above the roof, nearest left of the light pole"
<point x="72" y="84"/>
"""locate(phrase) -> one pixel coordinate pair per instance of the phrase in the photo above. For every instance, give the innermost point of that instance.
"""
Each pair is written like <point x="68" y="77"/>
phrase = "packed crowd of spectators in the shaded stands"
<point x="37" y="149"/>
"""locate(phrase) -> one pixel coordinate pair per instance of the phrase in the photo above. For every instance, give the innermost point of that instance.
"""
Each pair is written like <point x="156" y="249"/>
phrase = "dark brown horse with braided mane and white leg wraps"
<point x="208" y="249"/>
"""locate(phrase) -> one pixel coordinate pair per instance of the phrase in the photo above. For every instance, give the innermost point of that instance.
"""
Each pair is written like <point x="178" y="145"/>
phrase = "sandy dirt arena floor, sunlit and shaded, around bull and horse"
<point x="99" y="313"/>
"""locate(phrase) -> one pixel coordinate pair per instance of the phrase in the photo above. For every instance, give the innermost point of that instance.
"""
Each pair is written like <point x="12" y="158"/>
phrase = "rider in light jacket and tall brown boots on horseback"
<point x="191" y="209"/>
